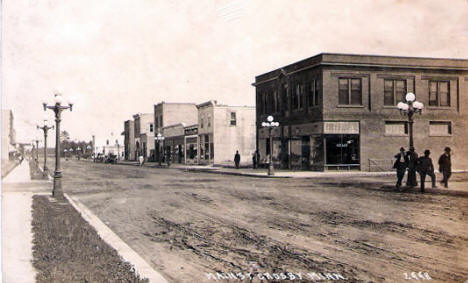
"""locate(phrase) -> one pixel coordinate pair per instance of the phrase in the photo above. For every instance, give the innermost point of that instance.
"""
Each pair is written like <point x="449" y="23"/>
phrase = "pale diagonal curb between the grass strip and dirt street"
<point x="142" y="268"/>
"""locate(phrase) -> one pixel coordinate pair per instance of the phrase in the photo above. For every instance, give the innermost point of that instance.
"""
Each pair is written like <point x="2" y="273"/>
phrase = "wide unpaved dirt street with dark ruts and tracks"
<point x="189" y="224"/>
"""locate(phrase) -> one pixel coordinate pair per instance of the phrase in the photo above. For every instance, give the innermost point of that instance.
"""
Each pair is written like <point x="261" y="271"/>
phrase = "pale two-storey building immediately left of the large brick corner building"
<point x="223" y="130"/>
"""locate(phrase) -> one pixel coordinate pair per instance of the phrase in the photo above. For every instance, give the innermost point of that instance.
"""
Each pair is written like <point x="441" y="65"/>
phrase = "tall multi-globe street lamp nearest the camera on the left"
<point x="57" y="107"/>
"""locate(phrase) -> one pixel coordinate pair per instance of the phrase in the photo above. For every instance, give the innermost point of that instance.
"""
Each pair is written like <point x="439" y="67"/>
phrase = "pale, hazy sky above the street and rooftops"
<point x="116" y="58"/>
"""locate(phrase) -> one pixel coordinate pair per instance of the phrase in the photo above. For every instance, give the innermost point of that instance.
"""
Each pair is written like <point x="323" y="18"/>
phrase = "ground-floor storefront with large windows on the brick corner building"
<point x="330" y="145"/>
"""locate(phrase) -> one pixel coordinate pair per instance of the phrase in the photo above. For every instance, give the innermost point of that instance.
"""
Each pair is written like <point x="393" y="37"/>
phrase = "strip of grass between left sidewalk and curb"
<point x="67" y="249"/>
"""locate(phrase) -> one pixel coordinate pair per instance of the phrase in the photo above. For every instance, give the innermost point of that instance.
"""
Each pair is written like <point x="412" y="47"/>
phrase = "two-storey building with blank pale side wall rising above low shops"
<point x="169" y="114"/>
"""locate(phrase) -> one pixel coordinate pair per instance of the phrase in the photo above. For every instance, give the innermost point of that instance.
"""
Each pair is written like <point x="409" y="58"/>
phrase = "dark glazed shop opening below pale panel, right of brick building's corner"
<point x="342" y="151"/>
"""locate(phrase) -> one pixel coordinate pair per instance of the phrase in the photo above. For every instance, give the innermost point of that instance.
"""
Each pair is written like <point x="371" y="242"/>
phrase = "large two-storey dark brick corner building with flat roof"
<point x="338" y="111"/>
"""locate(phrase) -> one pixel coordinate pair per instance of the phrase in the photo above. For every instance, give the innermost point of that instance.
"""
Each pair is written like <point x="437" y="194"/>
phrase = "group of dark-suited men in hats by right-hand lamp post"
<point x="423" y="165"/>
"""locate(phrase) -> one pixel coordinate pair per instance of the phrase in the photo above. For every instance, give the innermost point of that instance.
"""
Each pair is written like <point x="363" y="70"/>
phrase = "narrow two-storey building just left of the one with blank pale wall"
<point x="144" y="134"/>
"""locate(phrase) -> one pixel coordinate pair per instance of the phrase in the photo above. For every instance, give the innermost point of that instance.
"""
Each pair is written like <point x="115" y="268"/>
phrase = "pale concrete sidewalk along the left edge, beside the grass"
<point x="17" y="192"/>
